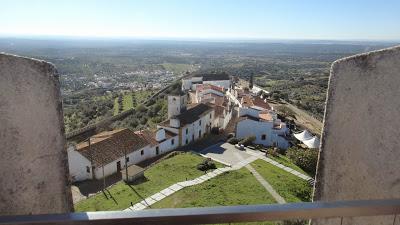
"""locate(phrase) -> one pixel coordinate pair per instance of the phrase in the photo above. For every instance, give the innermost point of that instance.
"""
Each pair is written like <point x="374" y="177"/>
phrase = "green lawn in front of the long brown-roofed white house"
<point x="158" y="177"/>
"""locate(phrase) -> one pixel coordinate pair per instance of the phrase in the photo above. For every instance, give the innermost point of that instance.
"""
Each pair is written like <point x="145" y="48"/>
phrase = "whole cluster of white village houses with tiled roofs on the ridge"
<point x="207" y="103"/>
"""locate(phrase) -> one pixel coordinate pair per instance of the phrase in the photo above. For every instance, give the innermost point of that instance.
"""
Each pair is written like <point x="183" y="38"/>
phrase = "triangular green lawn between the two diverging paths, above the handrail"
<point x="237" y="187"/>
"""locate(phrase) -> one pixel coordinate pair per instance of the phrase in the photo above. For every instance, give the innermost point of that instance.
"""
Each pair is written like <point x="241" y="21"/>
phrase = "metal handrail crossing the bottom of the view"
<point x="225" y="214"/>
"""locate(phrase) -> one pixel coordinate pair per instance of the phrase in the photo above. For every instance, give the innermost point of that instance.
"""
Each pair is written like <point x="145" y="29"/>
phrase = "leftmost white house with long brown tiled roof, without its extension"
<point x="105" y="154"/>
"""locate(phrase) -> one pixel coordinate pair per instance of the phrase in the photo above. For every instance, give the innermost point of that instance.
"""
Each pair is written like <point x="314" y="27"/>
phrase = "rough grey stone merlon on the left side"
<point x="33" y="162"/>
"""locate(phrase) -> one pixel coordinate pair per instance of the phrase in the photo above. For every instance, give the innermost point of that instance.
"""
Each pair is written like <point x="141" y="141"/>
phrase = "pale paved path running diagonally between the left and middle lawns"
<point x="180" y="185"/>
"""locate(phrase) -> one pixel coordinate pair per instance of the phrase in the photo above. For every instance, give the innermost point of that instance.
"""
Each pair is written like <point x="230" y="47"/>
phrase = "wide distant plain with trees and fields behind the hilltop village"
<point x="101" y="78"/>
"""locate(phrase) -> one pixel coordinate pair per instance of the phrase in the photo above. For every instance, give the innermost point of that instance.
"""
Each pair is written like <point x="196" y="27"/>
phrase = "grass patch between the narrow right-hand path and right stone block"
<point x="290" y="187"/>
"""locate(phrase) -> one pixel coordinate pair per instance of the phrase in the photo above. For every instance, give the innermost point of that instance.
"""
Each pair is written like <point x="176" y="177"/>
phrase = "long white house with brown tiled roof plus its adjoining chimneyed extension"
<point x="106" y="153"/>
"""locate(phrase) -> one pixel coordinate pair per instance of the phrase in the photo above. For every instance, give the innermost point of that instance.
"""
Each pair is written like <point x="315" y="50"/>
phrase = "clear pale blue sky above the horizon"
<point x="219" y="19"/>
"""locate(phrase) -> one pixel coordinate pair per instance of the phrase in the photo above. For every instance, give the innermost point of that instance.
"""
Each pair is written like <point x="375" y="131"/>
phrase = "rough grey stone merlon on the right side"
<point x="360" y="155"/>
